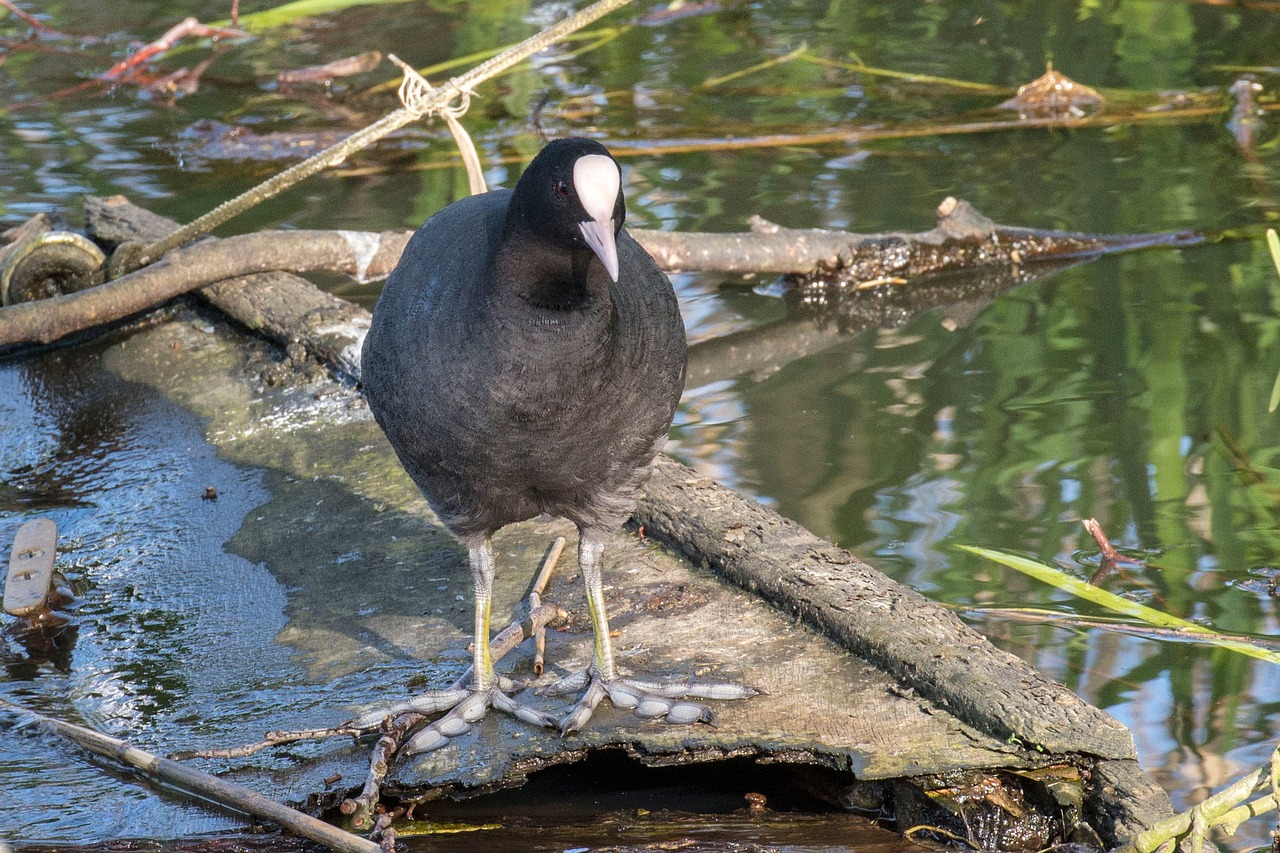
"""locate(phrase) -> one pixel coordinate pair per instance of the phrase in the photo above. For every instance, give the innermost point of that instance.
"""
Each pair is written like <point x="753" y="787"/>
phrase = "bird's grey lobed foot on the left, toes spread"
<point x="463" y="708"/>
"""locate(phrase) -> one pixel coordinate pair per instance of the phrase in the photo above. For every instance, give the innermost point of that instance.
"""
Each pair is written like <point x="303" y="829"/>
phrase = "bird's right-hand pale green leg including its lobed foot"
<point x="648" y="699"/>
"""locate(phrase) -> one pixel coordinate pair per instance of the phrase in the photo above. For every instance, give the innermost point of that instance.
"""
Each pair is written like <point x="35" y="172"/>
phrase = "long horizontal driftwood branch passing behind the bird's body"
<point x="963" y="240"/>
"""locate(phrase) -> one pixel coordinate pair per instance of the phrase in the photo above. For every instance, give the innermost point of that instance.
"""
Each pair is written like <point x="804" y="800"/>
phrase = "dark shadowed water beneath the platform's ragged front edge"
<point x="610" y="802"/>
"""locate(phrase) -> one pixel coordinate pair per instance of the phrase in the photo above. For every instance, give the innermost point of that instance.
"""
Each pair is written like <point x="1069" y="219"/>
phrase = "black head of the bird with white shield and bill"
<point x="572" y="197"/>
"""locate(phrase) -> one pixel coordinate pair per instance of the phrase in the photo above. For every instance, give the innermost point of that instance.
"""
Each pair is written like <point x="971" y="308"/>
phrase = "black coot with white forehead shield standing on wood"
<point x="527" y="357"/>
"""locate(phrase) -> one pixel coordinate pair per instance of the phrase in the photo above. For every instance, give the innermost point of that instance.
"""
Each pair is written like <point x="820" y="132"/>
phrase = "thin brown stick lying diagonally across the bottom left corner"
<point x="202" y="784"/>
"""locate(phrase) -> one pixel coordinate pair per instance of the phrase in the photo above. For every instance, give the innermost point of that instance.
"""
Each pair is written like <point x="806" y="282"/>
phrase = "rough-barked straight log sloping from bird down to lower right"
<point x="899" y="631"/>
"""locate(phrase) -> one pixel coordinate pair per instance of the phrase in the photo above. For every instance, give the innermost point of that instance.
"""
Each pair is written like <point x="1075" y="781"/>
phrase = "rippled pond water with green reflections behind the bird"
<point x="1133" y="390"/>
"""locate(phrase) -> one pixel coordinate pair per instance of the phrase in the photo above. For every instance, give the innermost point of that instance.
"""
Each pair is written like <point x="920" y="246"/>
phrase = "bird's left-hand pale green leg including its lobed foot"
<point x="465" y="706"/>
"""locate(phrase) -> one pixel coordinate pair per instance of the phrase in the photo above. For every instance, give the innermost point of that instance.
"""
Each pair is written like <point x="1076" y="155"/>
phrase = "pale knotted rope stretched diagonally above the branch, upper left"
<point x="378" y="130"/>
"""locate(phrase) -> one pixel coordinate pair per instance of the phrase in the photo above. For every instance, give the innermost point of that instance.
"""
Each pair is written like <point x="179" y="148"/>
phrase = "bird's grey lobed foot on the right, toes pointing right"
<point x="647" y="699"/>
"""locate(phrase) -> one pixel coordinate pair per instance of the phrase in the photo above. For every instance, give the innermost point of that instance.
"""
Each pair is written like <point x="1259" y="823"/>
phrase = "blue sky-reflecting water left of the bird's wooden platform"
<point x="115" y="469"/>
